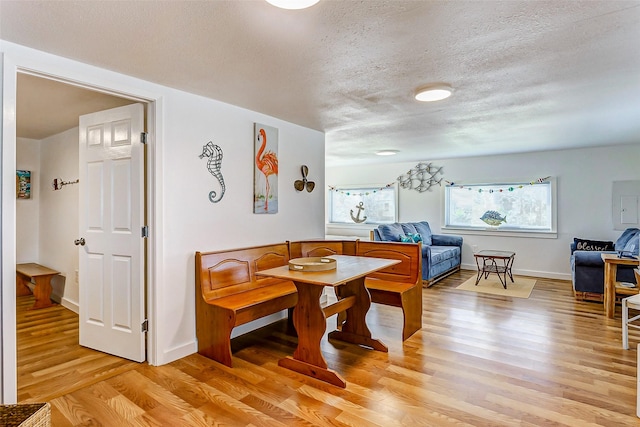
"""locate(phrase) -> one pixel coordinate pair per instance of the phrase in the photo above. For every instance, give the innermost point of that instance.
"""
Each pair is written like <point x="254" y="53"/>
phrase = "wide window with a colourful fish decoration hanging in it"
<point x="510" y="207"/>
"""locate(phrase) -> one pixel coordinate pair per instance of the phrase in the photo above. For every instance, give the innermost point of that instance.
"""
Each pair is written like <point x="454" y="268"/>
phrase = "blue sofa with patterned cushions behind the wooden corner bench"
<point x="441" y="254"/>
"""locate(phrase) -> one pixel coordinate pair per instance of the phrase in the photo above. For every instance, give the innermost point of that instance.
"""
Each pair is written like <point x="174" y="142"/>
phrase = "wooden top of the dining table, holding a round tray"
<point x="348" y="268"/>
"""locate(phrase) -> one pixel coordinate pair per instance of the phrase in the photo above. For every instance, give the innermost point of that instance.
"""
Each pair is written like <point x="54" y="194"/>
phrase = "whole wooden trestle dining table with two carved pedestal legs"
<point x="310" y="317"/>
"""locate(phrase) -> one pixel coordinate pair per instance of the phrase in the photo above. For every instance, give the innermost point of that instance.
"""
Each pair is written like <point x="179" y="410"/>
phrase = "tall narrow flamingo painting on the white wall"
<point x="265" y="175"/>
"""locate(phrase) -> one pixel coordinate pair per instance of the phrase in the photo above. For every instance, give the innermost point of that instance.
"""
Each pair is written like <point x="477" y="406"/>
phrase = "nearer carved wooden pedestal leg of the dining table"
<point x="310" y="323"/>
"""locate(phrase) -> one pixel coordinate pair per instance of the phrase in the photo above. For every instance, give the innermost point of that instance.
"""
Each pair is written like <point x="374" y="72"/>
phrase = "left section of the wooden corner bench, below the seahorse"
<point x="229" y="294"/>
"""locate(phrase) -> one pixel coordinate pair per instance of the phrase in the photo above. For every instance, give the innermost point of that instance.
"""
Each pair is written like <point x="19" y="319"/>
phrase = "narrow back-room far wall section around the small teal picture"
<point x="27" y="210"/>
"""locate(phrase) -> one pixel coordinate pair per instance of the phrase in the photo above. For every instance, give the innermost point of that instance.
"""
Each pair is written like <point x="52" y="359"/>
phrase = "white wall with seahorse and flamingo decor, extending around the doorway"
<point x="183" y="220"/>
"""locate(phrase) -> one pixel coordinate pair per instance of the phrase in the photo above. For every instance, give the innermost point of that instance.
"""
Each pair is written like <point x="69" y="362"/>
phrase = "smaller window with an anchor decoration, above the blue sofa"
<point x="366" y="205"/>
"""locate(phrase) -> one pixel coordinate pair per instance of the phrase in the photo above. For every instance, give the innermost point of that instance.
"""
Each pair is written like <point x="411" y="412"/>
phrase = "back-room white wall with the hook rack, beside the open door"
<point x="59" y="213"/>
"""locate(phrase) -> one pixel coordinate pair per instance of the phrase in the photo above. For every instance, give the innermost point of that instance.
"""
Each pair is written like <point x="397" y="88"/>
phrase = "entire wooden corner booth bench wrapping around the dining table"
<point x="229" y="293"/>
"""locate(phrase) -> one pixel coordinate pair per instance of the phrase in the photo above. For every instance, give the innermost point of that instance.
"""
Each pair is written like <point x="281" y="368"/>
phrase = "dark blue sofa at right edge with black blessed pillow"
<point x="587" y="267"/>
